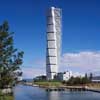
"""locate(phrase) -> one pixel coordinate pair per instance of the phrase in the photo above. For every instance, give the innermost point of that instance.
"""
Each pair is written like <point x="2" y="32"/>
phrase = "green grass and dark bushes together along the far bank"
<point x="41" y="81"/>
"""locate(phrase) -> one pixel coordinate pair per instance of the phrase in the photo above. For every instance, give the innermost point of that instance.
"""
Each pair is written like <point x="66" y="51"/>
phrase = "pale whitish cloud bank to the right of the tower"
<point x="82" y="60"/>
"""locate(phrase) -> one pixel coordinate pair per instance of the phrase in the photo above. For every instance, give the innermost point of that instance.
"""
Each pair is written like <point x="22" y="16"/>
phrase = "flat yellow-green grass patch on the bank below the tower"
<point x="48" y="83"/>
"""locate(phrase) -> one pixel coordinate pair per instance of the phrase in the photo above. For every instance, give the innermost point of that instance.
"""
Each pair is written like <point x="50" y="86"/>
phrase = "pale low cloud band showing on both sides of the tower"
<point x="78" y="63"/>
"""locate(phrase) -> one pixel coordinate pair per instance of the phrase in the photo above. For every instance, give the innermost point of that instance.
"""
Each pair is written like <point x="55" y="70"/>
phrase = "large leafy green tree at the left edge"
<point x="10" y="58"/>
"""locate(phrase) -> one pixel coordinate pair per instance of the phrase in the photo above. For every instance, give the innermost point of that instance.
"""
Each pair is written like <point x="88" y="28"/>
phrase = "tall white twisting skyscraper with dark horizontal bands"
<point x="53" y="42"/>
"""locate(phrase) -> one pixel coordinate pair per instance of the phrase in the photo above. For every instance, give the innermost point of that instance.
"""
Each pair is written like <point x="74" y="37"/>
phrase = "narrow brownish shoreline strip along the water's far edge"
<point x="87" y="87"/>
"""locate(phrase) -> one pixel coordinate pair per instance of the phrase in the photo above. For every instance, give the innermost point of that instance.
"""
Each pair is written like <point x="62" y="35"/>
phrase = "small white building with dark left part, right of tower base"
<point x="64" y="76"/>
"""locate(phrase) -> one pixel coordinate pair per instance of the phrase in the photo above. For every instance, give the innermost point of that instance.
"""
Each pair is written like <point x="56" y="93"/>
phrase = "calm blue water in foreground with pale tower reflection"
<point x="35" y="93"/>
